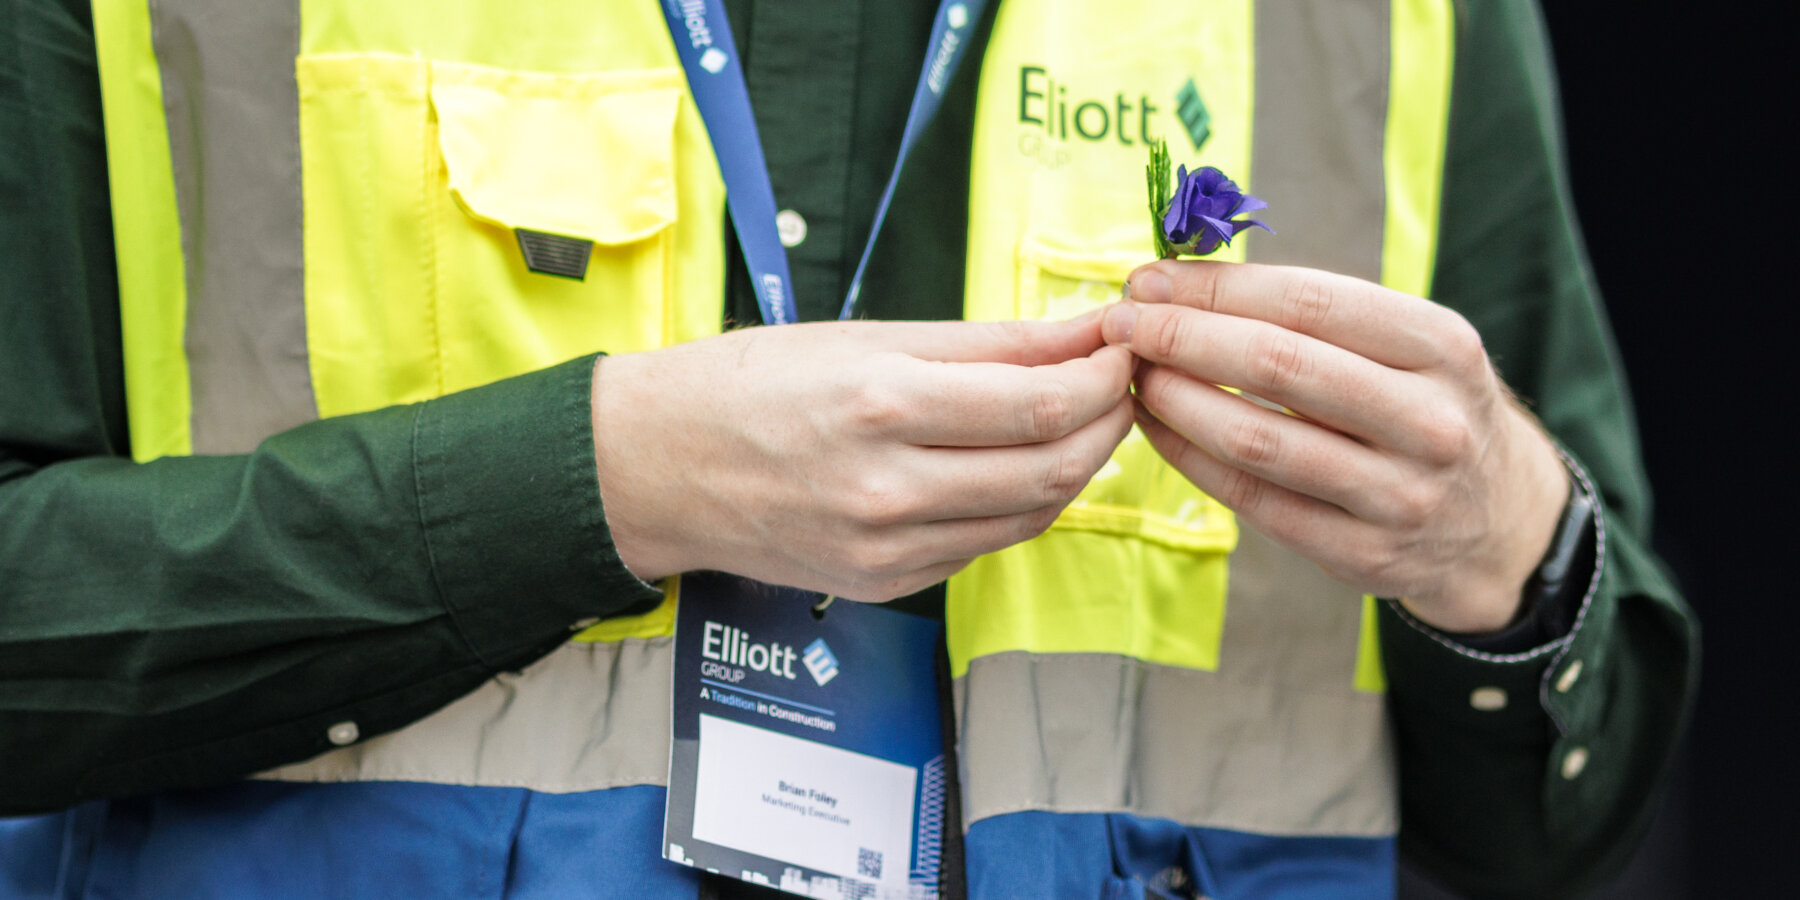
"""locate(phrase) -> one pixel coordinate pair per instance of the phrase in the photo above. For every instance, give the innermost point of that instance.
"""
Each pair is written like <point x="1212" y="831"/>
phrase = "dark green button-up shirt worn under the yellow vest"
<point x="193" y="620"/>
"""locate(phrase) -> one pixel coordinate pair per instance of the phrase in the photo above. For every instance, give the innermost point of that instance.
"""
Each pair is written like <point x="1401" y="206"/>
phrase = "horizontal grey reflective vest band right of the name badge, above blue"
<point x="1108" y="733"/>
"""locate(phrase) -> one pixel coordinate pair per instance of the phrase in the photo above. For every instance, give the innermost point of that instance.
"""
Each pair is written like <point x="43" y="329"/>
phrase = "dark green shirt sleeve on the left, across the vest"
<point x="192" y="620"/>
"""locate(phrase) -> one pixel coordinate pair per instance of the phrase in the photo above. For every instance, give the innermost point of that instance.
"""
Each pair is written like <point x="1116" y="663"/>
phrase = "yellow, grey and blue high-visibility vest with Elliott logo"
<point x="318" y="208"/>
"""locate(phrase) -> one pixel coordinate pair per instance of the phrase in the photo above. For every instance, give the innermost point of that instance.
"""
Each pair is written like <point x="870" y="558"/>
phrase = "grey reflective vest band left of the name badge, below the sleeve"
<point x="588" y="717"/>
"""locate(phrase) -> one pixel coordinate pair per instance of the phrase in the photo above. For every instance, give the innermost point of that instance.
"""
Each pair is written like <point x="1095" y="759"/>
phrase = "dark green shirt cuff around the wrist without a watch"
<point x="512" y="516"/>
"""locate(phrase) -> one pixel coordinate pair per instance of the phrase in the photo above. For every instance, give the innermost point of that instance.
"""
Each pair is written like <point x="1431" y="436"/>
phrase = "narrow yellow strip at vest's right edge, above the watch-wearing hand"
<point x="1419" y="107"/>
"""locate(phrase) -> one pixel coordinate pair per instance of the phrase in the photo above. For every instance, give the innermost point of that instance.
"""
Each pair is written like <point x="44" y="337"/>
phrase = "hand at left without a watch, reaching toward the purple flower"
<point x="865" y="460"/>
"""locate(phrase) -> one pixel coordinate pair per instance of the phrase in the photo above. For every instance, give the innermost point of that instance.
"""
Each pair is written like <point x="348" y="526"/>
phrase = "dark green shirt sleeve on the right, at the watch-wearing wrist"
<point x="1551" y="793"/>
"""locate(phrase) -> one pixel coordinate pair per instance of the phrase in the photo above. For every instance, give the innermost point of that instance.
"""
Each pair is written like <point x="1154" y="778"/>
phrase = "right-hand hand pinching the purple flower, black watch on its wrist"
<point x="1407" y="469"/>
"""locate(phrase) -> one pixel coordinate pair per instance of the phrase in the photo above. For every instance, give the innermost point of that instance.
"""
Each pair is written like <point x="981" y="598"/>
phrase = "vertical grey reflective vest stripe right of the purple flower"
<point x="1318" y="132"/>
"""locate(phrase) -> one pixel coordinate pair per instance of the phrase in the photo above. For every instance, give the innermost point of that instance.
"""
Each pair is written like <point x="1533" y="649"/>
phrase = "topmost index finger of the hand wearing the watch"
<point x="1362" y="318"/>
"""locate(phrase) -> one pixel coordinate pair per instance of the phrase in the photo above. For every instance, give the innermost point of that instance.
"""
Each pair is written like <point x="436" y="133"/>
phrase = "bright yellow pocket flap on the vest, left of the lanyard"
<point x="582" y="156"/>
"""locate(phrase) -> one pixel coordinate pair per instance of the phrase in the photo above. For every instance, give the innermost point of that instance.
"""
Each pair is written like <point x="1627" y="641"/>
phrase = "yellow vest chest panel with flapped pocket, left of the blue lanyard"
<point x="429" y="138"/>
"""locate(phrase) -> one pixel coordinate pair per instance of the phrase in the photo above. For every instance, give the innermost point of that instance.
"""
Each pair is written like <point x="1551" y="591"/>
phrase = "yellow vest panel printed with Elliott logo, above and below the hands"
<point x="1057" y="220"/>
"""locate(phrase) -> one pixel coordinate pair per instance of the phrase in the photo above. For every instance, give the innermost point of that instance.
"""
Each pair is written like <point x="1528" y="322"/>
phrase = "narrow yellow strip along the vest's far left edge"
<point x="147" y="233"/>
